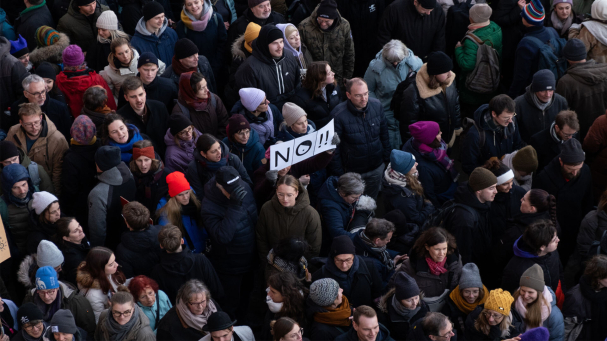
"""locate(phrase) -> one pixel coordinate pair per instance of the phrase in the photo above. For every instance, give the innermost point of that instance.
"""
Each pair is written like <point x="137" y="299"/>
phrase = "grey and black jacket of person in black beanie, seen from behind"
<point x="105" y="221"/>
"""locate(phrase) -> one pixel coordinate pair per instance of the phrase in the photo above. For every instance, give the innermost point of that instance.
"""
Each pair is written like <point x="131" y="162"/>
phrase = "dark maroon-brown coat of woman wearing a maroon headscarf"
<point x="213" y="120"/>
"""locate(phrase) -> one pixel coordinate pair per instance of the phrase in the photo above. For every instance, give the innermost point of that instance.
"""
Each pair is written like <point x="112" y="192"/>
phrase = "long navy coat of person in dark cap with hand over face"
<point x="231" y="229"/>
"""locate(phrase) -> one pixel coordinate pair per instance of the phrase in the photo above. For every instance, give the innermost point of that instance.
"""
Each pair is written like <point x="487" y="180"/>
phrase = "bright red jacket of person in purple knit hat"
<point x="73" y="84"/>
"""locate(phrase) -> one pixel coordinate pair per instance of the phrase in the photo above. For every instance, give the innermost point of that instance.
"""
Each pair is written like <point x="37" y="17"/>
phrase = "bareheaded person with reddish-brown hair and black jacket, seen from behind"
<point x="178" y="264"/>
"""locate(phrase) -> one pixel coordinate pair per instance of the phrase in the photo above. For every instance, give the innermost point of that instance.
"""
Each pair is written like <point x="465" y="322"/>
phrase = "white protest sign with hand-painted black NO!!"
<point x="291" y="152"/>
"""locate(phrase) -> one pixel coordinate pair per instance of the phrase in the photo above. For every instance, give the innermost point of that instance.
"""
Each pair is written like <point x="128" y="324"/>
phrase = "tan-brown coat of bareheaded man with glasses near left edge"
<point x="47" y="151"/>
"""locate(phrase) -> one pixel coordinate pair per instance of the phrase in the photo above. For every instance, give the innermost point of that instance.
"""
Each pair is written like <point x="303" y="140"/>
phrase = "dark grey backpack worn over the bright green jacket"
<point x="485" y="78"/>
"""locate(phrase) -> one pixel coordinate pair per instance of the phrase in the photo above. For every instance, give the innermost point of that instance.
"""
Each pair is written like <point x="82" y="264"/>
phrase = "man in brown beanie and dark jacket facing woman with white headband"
<point x="469" y="221"/>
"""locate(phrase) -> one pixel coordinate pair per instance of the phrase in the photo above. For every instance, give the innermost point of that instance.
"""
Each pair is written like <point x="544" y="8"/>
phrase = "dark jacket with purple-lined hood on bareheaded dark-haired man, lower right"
<point x="524" y="258"/>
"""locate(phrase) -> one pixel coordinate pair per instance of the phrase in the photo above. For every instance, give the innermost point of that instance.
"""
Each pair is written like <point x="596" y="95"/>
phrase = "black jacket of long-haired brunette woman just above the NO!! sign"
<point x="317" y="108"/>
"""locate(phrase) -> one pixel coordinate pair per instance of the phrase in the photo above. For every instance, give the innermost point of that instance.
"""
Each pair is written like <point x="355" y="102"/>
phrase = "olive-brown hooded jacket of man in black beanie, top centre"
<point x="334" y="45"/>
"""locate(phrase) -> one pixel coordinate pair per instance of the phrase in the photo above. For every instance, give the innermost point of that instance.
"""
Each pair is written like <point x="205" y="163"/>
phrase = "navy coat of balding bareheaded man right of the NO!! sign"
<point x="365" y="143"/>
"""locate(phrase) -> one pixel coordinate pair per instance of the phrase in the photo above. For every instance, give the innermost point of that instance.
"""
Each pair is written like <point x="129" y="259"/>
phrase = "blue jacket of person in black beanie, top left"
<point x="162" y="46"/>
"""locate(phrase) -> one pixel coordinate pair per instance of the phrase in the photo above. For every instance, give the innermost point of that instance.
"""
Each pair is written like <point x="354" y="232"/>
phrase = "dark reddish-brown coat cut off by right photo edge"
<point x="595" y="145"/>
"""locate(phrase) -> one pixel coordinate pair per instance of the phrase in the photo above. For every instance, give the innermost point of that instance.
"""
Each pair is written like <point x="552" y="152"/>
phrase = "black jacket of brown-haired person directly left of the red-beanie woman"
<point x="139" y="251"/>
